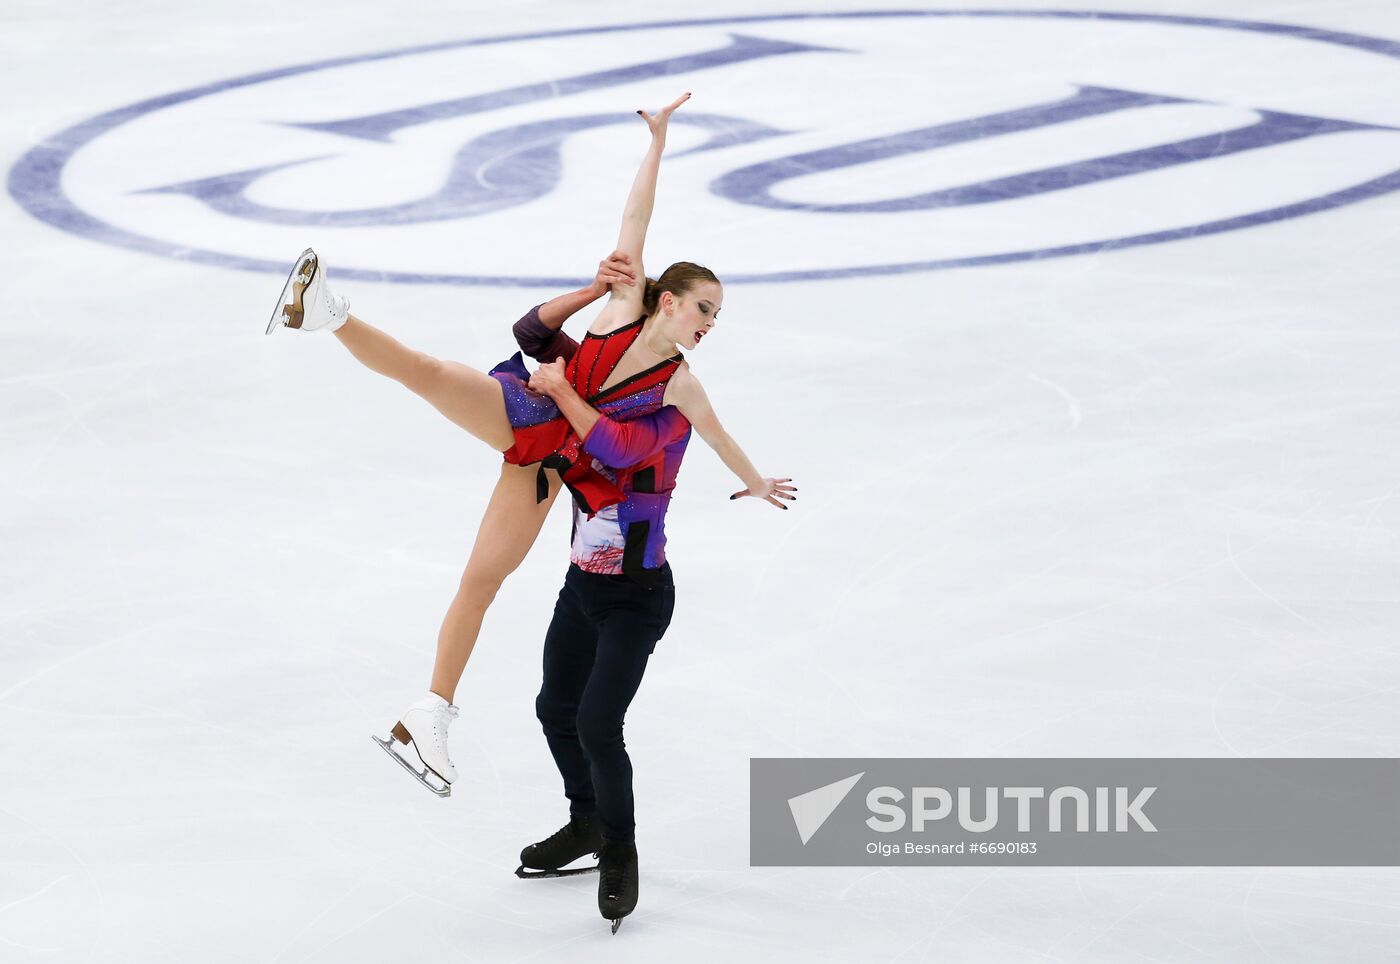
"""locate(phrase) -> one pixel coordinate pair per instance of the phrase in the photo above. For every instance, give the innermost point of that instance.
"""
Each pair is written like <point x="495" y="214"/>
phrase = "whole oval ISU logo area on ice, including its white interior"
<point x="820" y="146"/>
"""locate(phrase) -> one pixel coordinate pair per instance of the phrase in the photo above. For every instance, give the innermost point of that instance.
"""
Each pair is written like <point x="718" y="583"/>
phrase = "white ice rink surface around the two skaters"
<point x="1142" y="500"/>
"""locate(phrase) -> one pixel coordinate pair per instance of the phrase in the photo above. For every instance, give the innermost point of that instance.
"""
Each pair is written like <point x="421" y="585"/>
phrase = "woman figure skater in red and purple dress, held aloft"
<point x="533" y="434"/>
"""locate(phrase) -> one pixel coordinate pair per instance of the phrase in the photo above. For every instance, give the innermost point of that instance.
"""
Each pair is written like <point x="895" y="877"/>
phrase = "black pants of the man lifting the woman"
<point x="596" y="651"/>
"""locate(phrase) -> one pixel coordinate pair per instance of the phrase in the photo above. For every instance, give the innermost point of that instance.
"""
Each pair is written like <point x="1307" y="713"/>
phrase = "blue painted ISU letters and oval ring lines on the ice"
<point x="36" y="181"/>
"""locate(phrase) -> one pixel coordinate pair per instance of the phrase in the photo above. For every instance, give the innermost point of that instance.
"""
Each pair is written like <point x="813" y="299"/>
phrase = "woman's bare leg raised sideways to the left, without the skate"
<point x="470" y="398"/>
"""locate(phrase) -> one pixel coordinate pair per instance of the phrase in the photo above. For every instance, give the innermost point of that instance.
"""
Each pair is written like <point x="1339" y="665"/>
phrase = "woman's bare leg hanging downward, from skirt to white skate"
<point x="509" y="530"/>
